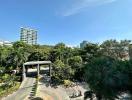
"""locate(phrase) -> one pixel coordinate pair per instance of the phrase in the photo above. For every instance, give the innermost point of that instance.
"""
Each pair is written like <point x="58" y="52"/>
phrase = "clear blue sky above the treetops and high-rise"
<point x="68" y="21"/>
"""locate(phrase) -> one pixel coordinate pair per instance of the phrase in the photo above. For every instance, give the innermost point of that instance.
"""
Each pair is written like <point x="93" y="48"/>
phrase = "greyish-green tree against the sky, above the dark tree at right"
<point x="115" y="49"/>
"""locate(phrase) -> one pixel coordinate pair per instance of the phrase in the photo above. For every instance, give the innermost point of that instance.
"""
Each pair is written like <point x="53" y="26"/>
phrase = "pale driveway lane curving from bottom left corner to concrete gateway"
<point x="23" y="91"/>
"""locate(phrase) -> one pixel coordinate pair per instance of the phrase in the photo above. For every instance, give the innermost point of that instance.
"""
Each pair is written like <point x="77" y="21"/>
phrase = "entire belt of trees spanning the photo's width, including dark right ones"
<point x="105" y="72"/>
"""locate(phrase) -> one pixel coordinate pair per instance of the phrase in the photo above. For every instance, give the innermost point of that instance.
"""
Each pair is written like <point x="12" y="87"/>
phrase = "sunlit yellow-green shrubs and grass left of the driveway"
<point x="8" y="82"/>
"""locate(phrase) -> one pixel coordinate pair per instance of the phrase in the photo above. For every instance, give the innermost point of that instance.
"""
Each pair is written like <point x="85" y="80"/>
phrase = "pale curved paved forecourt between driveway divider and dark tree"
<point x="59" y="93"/>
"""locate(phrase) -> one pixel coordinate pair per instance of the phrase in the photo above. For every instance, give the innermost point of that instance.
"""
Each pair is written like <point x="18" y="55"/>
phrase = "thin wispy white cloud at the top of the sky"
<point x="80" y="5"/>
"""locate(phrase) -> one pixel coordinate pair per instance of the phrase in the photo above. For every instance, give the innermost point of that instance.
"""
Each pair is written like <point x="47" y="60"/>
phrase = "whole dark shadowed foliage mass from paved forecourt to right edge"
<point x="108" y="77"/>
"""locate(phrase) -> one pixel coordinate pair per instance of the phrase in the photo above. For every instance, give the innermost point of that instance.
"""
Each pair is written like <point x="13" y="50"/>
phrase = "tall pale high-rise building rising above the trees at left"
<point x="28" y="36"/>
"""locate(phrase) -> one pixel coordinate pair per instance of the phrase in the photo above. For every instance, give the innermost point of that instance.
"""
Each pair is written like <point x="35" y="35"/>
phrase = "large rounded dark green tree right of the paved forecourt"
<point x="102" y="78"/>
